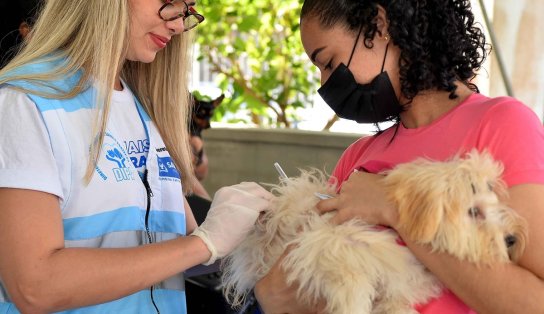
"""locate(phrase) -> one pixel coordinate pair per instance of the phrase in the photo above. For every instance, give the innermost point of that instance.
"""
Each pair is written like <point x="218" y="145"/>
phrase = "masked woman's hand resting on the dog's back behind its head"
<point x="361" y="196"/>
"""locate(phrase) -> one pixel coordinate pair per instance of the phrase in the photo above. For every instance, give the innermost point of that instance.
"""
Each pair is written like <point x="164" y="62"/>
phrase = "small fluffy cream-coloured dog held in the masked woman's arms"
<point x="452" y="206"/>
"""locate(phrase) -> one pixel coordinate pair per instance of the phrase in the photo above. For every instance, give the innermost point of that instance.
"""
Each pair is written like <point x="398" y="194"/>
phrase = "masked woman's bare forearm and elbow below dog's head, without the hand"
<point x="505" y="288"/>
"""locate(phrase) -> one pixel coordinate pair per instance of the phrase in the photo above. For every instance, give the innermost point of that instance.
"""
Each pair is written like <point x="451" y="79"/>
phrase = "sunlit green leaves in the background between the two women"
<point x="255" y="47"/>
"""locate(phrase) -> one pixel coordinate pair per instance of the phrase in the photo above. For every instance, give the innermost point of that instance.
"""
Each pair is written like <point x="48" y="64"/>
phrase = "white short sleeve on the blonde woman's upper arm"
<point x="26" y="156"/>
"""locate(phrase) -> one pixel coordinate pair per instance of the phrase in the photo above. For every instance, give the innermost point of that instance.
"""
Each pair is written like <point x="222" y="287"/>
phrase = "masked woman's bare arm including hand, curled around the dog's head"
<point x="500" y="289"/>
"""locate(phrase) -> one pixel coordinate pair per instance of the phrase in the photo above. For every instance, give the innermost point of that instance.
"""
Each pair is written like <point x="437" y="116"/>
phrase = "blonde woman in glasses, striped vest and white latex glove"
<point x="93" y="157"/>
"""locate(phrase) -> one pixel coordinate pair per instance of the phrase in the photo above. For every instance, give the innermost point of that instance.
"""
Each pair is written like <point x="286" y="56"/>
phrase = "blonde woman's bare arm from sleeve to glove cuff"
<point x="41" y="275"/>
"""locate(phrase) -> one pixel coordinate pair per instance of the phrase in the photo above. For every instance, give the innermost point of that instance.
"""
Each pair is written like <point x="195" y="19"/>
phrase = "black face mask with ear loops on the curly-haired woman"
<point x="365" y="103"/>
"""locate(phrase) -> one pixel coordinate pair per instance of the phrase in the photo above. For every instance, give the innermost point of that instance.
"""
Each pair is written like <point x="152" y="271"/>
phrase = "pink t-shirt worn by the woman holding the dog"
<point x="503" y="126"/>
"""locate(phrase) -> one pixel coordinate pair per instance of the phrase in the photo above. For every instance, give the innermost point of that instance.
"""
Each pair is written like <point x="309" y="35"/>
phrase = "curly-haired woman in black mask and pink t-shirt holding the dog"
<point x="412" y="62"/>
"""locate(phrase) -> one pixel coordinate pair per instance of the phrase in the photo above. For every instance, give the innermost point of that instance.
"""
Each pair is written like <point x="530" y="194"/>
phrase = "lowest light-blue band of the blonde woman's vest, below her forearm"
<point x="168" y="302"/>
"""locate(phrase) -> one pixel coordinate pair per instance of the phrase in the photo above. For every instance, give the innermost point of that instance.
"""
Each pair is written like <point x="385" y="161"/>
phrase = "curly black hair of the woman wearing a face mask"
<point x="439" y="40"/>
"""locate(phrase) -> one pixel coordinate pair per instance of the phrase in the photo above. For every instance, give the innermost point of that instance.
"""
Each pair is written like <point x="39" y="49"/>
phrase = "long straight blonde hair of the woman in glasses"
<point x="92" y="37"/>
